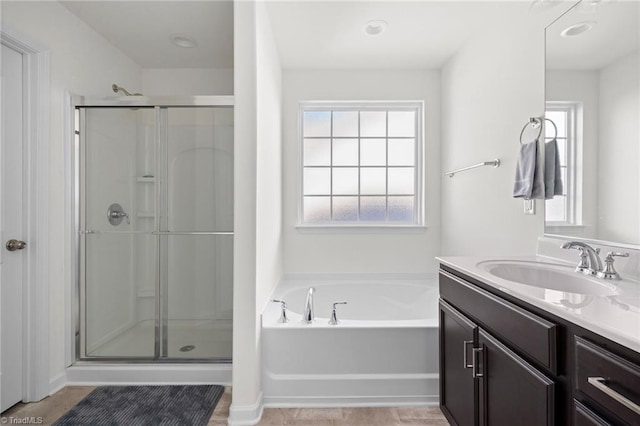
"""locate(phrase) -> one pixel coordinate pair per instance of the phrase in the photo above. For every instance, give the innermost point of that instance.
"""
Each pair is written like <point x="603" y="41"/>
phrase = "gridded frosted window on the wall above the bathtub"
<point x="361" y="163"/>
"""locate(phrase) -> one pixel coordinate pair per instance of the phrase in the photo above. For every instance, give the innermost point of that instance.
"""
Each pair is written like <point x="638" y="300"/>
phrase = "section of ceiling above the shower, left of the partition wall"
<point x="142" y="30"/>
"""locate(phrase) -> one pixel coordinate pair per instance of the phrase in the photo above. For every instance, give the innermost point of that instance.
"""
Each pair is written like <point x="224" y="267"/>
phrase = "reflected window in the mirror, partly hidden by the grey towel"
<point x="563" y="210"/>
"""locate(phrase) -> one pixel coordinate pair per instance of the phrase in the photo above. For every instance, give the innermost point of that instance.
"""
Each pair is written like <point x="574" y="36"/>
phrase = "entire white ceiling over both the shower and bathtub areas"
<point x="309" y="33"/>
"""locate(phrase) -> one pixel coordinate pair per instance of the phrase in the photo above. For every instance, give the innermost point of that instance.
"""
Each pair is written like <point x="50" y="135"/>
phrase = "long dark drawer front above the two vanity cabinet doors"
<point x="531" y="334"/>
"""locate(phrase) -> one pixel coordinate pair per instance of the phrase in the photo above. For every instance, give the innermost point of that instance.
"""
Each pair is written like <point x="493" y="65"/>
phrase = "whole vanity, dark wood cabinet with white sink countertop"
<point x="528" y="341"/>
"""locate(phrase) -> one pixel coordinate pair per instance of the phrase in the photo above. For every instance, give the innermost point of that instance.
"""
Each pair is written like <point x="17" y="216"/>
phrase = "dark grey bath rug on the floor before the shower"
<point x="145" y="406"/>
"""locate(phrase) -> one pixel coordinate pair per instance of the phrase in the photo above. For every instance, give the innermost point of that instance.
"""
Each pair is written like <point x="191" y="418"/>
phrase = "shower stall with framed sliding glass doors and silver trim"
<point x="154" y="185"/>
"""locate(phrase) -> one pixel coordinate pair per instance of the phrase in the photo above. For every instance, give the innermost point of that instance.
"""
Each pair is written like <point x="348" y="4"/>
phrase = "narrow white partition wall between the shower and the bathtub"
<point x="258" y="178"/>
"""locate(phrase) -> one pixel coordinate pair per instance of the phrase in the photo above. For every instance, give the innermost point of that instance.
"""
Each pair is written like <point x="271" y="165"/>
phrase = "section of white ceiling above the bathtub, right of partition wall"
<point x="420" y="34"/>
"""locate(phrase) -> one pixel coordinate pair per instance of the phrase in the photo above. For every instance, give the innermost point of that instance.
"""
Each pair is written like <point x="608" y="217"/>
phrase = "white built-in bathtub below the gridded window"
<point x="383" y="352"/>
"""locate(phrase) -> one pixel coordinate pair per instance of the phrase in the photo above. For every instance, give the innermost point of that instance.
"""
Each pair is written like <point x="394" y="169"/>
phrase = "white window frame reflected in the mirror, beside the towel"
<point x="571" y="188"/>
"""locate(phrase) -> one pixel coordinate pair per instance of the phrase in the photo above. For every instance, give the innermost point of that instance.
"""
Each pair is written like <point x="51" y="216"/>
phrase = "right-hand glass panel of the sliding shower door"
<point x="196" y="247"/>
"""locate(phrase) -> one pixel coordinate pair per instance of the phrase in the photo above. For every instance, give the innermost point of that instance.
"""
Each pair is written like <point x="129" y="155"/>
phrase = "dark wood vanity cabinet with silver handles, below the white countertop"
<point x="503" y="362"/>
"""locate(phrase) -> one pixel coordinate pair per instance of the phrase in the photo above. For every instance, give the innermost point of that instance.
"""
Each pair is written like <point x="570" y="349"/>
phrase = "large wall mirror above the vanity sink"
<point x="593" y="97"/>
